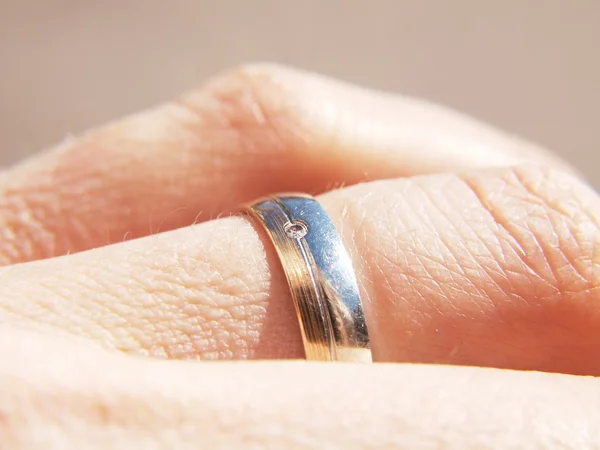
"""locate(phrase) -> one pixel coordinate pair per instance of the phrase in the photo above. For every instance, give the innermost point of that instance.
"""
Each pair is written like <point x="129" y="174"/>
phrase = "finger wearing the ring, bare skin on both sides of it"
<point x="497" y="268"/>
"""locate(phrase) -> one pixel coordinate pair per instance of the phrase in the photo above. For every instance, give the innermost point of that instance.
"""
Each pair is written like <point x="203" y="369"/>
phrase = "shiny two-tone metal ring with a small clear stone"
<point x="320" y="275"/>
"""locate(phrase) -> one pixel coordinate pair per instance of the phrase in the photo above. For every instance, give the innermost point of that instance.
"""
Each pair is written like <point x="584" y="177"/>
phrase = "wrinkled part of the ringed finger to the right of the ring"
<point x="497" y="268"/>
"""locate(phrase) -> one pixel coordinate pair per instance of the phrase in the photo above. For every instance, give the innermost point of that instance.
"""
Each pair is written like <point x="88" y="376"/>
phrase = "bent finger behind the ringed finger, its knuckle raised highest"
<point x="253" y="131"/>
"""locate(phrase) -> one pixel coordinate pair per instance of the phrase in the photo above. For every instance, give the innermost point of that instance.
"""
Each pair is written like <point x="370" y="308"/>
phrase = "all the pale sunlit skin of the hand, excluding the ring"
<point x="476" y="254"/>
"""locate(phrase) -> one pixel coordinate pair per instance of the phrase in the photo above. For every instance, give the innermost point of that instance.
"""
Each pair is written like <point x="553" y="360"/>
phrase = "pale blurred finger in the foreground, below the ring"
<point x="133" y="403"/>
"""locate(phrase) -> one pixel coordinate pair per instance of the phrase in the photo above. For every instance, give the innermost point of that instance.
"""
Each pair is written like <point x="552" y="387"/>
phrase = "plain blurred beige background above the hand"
<point x="531" y="67"/>
